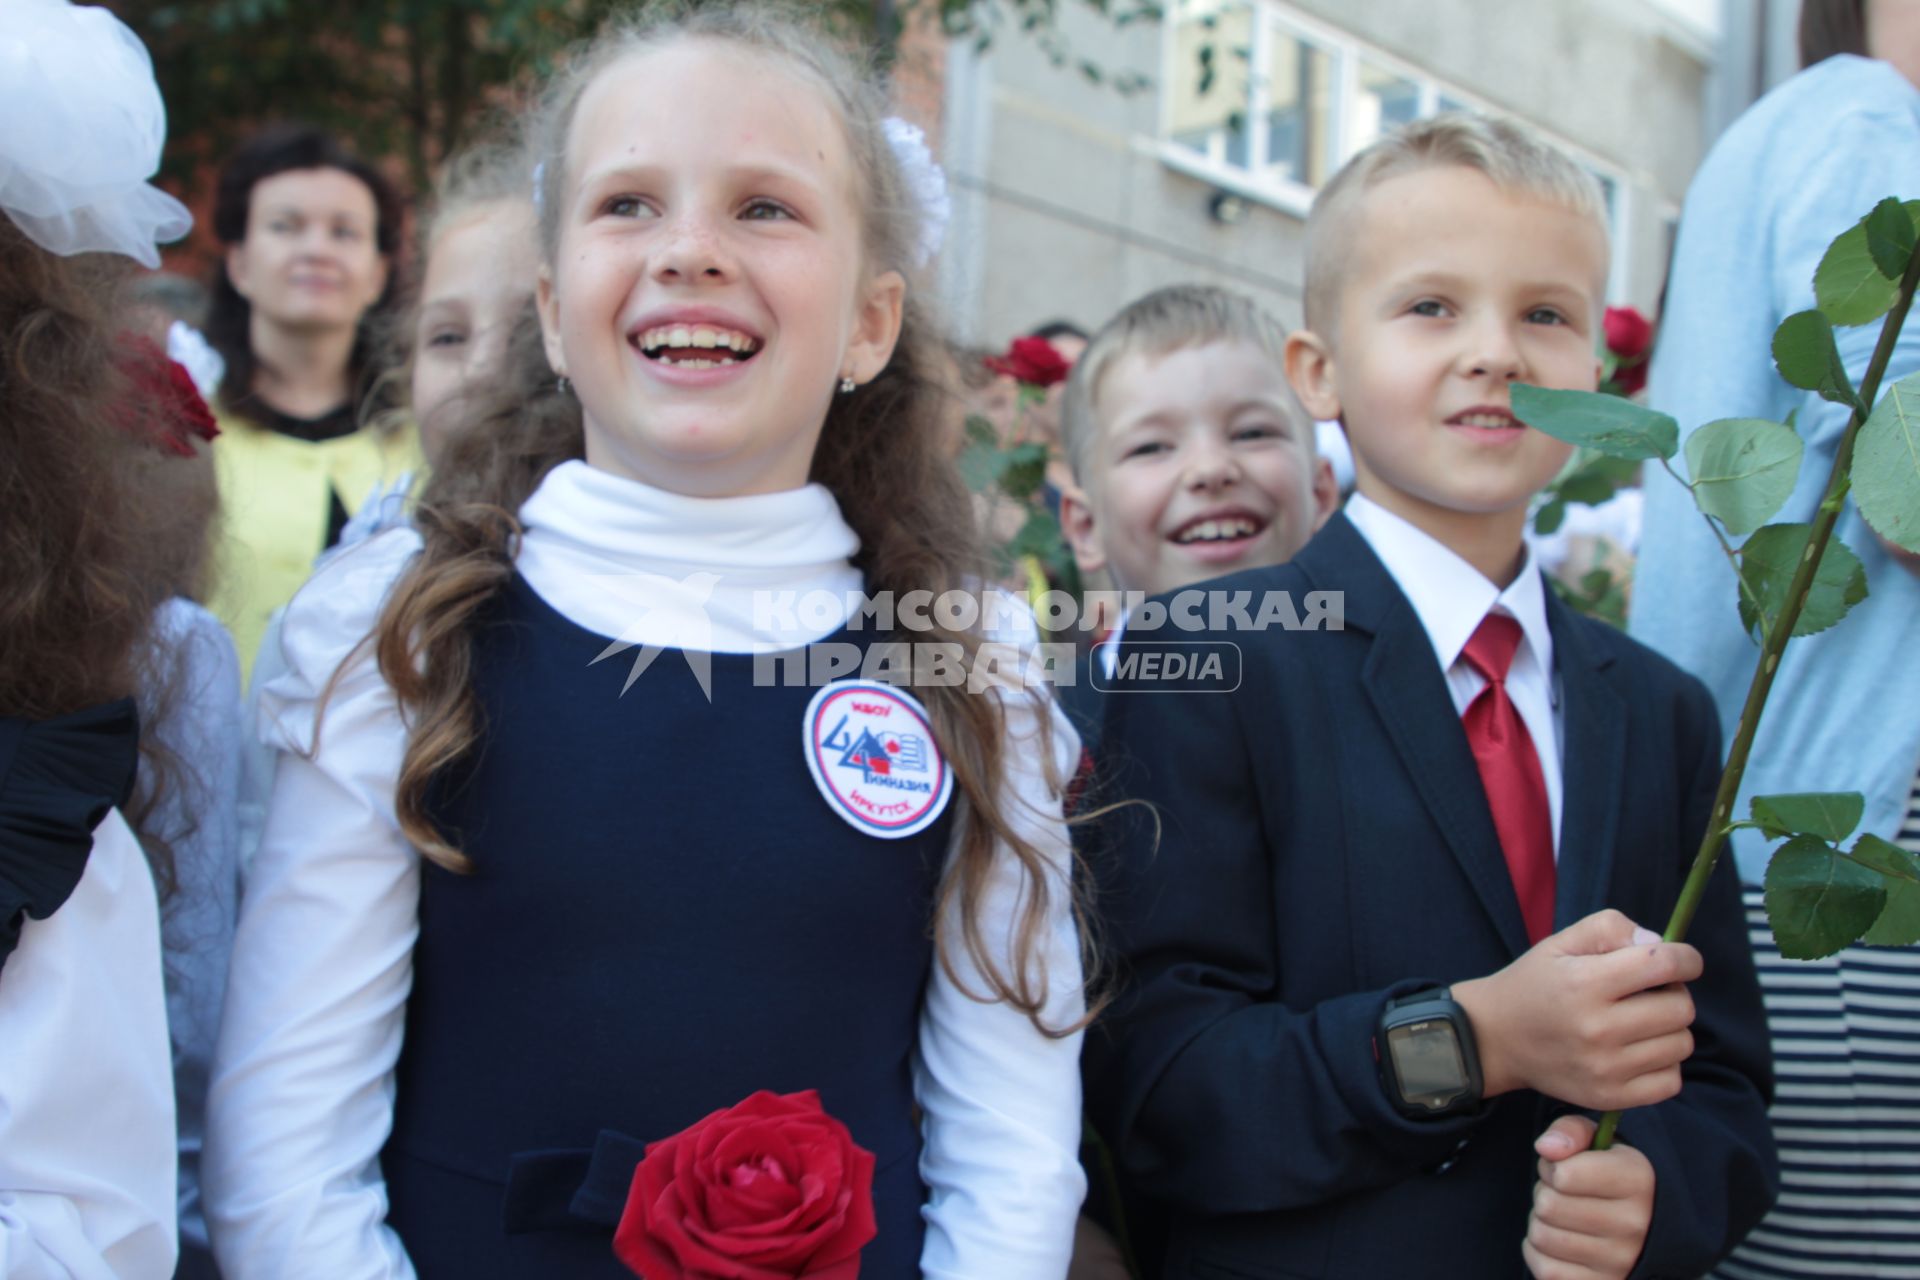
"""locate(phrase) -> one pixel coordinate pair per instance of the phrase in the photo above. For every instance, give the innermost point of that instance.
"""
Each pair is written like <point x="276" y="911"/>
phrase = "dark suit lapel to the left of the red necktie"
<point x="1408" y="692"/>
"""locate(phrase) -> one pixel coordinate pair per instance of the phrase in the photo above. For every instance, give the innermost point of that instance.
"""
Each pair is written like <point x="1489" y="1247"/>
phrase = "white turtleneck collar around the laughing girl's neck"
<point x="650" y="567"/>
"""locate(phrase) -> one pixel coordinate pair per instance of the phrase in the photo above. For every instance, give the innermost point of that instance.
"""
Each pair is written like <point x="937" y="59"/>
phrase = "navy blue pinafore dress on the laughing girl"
<point x="663" y="918"/>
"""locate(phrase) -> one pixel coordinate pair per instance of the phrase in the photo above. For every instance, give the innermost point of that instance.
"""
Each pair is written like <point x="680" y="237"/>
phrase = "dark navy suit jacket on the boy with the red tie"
<point x="1328" y="847"/>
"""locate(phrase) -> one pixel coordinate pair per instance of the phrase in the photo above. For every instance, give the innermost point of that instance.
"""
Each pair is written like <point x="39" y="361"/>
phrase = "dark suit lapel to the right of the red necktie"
<point x="1593" y="770"/>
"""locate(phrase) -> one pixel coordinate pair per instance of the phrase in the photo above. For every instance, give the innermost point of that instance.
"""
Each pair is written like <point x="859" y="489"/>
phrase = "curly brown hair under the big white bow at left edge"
<point x="97" y="525"/>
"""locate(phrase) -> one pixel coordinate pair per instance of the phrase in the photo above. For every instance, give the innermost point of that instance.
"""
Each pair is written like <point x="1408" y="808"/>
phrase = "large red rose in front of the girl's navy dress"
<point x="771" y="1189"/>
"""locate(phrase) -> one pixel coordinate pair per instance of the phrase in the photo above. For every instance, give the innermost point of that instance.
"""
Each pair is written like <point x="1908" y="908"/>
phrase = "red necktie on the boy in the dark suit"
<point x="1510" y="770"/>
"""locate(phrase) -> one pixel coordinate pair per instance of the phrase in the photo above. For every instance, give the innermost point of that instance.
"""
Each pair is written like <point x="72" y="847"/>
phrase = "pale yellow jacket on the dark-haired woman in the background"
<point x="276" y="498"/>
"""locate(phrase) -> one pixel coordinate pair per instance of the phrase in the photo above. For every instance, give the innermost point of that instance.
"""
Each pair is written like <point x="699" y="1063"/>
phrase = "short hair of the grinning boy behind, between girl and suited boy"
<point x="1161" y="323"/>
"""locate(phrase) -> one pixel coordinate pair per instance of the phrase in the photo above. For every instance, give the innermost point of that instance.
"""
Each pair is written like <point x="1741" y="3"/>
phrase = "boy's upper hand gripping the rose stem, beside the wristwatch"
<point x="1595" y="1016"/>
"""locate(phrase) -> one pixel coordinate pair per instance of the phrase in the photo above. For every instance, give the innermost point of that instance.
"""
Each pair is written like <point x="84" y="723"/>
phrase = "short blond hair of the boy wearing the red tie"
<point x="1514" y="158"/>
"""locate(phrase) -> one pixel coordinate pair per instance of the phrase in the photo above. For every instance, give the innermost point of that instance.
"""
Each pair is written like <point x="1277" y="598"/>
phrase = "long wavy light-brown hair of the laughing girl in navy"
<point x="882" y="439"/>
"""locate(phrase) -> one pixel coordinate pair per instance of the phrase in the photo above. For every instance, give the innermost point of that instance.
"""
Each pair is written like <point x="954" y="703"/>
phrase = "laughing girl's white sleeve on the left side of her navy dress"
<point x="302" y="1091"/>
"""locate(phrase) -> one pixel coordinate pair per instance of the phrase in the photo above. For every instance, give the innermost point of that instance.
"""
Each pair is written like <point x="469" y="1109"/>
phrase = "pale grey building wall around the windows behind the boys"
<point x="1067" y="204"/>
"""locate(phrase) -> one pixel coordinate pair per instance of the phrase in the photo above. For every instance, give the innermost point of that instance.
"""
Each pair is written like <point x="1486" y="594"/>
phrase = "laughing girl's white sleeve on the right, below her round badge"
<point x="1003" y="1101"/>
